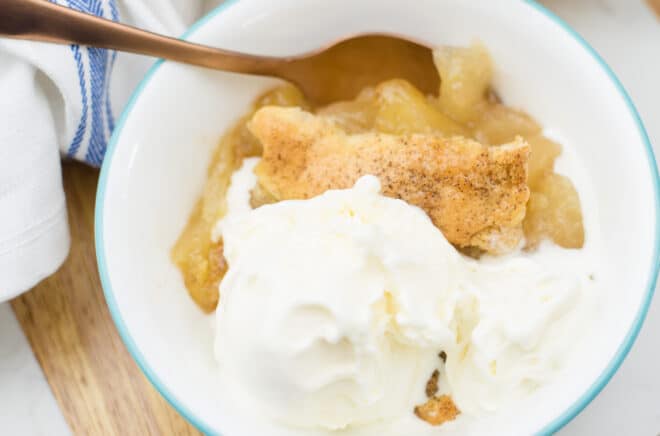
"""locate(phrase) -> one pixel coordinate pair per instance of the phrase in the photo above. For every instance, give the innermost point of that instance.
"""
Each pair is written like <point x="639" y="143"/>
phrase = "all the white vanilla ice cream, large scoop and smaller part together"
<point x="334" y="309"/>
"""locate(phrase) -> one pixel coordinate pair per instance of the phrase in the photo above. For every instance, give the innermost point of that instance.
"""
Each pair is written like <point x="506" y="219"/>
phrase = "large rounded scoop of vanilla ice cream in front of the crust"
<point x="333" y="309"/>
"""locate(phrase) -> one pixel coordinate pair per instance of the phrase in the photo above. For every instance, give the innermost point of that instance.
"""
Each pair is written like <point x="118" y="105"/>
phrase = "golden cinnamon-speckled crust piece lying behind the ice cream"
<point x="475" y="194"/>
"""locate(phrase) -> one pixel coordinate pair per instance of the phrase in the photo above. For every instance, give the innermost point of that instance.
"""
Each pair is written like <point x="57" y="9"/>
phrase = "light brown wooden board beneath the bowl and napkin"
<point x="98" y="386"/>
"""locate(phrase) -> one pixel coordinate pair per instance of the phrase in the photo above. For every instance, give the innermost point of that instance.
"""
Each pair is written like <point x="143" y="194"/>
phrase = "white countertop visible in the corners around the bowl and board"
<point x="627" y="35"/>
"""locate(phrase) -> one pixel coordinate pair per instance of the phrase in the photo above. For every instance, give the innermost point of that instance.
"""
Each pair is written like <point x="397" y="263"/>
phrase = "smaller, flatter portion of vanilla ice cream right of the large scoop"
<point x="516" y="322"/>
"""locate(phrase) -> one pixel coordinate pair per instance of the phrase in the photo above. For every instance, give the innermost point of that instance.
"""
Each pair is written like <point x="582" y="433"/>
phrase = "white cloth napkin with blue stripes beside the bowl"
<point x="58" y="100"/>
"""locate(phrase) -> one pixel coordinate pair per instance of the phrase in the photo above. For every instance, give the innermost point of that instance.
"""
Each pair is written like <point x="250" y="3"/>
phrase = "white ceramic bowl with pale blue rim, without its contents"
<point x="156" y="165"/>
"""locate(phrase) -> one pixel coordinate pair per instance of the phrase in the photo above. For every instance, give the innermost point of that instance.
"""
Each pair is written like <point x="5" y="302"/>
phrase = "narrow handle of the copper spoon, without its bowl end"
<point x="41" y="20"/>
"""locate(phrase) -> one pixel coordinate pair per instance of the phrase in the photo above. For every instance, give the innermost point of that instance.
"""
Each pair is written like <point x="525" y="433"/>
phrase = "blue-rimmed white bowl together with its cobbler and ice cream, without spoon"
<point x="342" y="287"/>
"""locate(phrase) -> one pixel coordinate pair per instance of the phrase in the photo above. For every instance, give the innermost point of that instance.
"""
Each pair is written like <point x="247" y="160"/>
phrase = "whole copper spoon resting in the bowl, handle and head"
<point x="336" y="72"/>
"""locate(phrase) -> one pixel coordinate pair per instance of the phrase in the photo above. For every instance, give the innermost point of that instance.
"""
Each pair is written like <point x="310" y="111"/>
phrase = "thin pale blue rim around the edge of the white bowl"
<point x="551" y="427"/>
